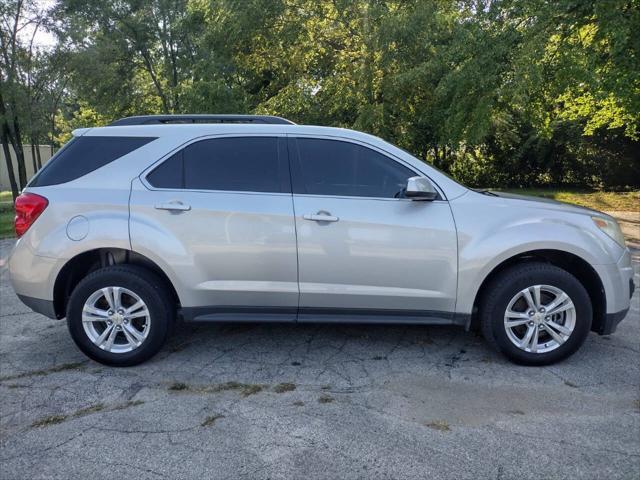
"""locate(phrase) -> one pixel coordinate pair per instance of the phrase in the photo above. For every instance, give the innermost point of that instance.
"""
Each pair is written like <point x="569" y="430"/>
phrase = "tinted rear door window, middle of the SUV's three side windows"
<point x="241" y="164"/>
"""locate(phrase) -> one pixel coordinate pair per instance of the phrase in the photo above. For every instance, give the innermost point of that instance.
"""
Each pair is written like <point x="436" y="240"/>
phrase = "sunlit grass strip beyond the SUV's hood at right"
<point x="621" y="201"/>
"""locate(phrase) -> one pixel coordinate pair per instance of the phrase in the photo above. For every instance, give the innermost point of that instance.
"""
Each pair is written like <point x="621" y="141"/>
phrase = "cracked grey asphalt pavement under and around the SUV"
<point x="279" y="401"/>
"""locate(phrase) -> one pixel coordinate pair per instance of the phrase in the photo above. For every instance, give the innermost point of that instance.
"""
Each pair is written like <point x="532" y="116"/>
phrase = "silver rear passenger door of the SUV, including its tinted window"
<point x="218" y="213"/>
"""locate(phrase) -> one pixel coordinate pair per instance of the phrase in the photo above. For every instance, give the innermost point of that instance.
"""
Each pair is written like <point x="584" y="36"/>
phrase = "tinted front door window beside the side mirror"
<point x="333" y="167"/>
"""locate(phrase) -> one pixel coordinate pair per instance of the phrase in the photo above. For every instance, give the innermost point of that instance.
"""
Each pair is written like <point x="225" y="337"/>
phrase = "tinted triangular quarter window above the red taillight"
<point x="83" y="155"/>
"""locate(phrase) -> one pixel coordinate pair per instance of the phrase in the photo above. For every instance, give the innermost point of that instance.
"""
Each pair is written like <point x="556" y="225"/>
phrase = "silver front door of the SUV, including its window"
<point x="364" y="252"/>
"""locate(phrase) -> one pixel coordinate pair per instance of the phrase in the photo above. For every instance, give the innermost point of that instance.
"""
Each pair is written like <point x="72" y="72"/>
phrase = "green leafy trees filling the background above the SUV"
<point x="495" y="92"/>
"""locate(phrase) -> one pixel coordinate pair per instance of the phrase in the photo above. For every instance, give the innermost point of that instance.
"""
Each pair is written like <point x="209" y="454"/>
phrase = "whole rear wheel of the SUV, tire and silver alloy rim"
<point x="120" y="315"/>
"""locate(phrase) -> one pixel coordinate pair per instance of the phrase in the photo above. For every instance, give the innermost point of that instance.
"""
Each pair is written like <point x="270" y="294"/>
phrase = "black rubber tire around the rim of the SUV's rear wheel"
<point x="149" y="287"/>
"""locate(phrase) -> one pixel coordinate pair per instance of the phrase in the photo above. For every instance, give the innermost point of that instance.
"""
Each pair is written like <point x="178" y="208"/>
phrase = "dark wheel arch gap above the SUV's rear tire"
<point x="76" y="268"/>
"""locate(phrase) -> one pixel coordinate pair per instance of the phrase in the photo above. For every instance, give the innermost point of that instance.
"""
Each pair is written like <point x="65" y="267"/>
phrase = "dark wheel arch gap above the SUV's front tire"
<point x="575" y="265"/>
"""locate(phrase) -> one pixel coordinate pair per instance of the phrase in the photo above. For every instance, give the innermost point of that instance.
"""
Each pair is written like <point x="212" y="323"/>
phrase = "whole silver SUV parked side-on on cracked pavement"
<point x="250" y="218"/>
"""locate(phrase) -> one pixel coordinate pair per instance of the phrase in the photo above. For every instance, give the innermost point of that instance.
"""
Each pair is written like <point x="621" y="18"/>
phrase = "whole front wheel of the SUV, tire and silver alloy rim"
<point x="536" y="313"/>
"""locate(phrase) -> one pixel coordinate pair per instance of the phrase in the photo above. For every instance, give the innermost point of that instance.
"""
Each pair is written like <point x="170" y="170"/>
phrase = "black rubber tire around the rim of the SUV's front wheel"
<point x="507" y="284"/>
